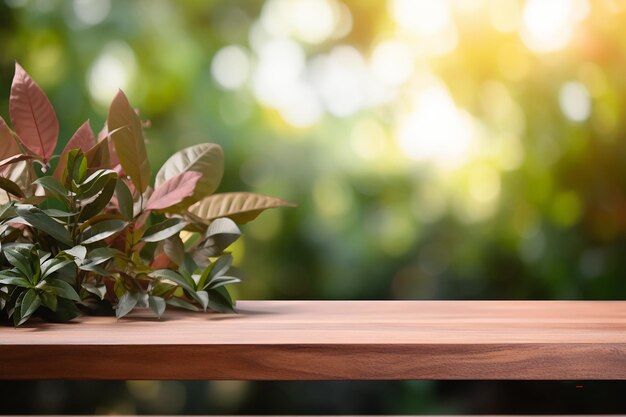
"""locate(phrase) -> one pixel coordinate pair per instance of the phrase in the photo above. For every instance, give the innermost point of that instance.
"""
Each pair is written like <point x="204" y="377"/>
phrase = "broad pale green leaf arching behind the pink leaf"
<point x="205" y="158"/>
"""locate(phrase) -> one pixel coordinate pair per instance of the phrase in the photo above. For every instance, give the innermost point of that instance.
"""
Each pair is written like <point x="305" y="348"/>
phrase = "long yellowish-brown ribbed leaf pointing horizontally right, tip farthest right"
<point x="239" y="207"/>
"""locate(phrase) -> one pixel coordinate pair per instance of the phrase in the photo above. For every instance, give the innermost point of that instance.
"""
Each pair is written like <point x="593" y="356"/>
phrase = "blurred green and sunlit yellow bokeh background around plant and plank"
<point x="469" y="149"/>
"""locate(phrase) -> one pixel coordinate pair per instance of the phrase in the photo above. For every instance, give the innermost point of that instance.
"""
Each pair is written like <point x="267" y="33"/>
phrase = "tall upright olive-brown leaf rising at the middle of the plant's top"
<point x="129" y="141"/>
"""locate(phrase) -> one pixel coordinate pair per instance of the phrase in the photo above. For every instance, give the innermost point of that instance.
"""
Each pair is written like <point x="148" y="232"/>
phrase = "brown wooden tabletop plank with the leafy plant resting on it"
<point x="288" y="340"/>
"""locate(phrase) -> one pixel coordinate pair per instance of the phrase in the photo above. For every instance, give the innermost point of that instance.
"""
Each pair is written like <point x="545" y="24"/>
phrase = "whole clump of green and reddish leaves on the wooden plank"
<point x="87" y="227"/>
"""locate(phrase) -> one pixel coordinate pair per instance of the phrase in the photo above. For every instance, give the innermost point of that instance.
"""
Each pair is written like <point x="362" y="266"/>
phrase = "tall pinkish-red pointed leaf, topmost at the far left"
<point x="32" y="115"/>
